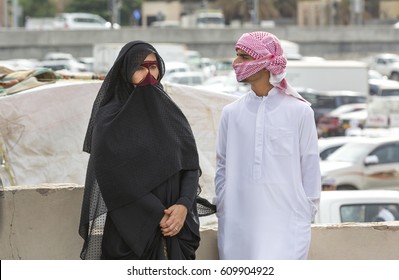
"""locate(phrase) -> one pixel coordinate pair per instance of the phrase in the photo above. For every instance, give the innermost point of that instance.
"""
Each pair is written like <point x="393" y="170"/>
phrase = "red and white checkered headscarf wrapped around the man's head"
<point x="268" y="54"/>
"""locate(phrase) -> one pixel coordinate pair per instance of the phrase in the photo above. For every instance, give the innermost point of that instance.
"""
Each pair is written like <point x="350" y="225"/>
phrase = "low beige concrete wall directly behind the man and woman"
<point x="41" y="223"/>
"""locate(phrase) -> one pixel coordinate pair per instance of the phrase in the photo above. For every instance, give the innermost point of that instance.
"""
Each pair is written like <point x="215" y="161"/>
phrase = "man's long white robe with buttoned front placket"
<point x="267" y="175"/>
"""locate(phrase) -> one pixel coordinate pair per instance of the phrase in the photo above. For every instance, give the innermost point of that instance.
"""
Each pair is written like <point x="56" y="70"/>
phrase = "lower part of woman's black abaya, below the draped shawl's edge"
<point x="132" y="231"/>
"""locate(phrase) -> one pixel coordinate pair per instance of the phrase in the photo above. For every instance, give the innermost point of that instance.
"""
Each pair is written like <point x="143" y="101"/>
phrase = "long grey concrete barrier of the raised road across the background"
<point x="332" y="42"/>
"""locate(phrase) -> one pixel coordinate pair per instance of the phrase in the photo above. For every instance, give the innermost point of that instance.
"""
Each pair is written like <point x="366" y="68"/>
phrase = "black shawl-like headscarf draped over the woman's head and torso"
<point x="137" y="137"/>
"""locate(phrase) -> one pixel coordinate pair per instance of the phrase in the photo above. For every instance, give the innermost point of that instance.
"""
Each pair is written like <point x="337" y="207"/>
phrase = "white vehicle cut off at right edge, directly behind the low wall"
<point x="358" y="206"/>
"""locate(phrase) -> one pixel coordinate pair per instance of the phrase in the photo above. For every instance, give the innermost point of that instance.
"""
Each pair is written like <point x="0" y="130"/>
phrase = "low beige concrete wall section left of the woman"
<point x="40" y="222"/>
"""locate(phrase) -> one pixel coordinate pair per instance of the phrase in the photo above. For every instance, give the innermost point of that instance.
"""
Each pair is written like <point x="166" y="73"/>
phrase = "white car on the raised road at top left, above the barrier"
<point x="82" y="21"/>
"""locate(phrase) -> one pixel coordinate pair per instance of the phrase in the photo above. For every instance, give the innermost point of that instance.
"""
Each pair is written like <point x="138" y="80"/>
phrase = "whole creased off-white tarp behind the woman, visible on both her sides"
<point x="42" y="131"/>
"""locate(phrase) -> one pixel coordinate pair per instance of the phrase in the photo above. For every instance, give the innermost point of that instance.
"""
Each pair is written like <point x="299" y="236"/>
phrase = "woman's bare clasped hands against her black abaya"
<point x="173" y="220"/>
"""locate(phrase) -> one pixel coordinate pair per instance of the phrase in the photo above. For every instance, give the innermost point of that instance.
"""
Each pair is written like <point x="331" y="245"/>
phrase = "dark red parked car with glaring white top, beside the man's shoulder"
<point x="331" y="123"/>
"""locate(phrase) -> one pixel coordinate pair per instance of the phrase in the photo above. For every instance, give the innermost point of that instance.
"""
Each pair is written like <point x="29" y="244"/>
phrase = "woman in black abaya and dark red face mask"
<point x="142" y="176"/>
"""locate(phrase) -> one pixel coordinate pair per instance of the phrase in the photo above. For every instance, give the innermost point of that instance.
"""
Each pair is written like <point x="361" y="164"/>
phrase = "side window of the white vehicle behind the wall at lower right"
<point x="372" y="212"/>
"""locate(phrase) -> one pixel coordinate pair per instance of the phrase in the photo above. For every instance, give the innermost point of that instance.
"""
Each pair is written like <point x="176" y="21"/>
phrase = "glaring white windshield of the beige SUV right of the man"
<point x="351" y="152"/>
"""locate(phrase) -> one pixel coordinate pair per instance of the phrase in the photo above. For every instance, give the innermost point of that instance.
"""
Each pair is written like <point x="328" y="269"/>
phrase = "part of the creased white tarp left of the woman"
<point x="42" y="131"/>
